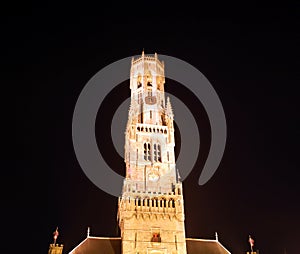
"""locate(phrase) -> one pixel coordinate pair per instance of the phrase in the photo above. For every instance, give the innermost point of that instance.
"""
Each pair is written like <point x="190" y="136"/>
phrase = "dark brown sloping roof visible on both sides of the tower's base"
<point x="112" y="245"/>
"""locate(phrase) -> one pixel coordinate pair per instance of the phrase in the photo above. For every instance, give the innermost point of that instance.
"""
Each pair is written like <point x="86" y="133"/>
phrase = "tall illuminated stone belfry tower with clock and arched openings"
<point x="151" y="210"/>
